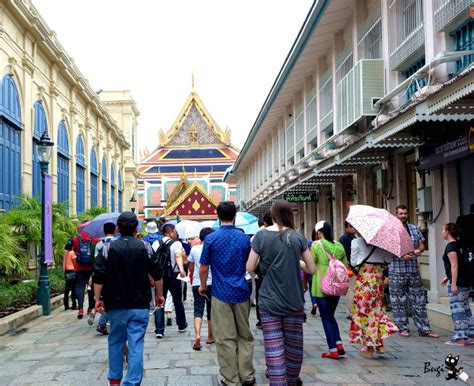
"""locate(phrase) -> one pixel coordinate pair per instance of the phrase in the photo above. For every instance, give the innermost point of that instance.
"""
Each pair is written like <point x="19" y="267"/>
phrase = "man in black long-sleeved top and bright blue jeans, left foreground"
<point x="122" y="286"/>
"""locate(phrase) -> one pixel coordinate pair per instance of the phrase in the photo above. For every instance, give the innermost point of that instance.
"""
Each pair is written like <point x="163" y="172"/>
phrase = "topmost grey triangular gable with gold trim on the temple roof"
<point x="194" y="127"/>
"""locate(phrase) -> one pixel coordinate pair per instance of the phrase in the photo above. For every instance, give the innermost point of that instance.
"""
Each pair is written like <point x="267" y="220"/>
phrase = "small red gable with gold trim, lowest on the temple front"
<point x="194" y="203"/>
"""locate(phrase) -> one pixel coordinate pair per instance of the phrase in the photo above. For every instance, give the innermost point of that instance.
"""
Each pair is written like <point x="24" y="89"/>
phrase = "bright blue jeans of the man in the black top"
<point x="127" y="325"/>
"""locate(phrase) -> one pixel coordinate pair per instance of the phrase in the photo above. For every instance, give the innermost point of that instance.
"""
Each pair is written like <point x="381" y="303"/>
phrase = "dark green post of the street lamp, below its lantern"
<point x="44" y="290"/>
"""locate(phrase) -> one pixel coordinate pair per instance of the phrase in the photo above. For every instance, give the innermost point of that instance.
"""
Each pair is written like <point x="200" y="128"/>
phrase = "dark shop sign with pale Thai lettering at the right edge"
<point x="432" y="154"/>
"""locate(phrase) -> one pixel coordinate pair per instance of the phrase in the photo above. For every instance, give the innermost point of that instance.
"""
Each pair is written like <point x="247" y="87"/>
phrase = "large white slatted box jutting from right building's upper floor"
<point x="357" y="90"/>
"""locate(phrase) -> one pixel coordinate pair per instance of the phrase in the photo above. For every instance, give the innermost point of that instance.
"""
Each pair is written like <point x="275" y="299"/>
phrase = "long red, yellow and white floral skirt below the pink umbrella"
<point x="370" y="325"/>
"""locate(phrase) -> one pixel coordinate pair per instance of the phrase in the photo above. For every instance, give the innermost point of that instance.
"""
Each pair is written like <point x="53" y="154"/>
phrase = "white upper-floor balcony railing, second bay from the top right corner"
<point x="407" y="16"/>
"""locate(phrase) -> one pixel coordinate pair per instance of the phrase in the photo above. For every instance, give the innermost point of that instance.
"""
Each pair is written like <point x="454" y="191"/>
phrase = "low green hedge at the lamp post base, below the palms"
<point x="16" y="295"/>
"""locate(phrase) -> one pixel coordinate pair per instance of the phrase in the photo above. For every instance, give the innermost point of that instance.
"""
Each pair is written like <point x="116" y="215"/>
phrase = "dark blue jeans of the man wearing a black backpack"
<point x="174" y="286"/>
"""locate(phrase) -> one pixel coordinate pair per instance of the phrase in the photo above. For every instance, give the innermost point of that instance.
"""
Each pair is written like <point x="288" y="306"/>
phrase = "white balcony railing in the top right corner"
<point x="449" y="14"/>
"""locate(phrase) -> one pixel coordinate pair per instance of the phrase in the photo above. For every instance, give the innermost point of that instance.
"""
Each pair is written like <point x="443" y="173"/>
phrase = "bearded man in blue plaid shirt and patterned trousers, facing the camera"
<point x="406" y="285"/>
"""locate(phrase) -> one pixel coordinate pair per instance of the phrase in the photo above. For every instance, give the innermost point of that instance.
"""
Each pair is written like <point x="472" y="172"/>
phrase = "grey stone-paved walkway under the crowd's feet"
<point x="60" y="349"/>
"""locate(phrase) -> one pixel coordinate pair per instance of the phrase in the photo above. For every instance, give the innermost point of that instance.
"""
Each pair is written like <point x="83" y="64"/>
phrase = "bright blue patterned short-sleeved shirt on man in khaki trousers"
<point x="227" y="251"/>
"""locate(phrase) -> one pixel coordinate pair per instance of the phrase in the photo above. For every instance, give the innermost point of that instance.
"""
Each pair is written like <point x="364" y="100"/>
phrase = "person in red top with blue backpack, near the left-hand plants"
<point x="82" y="246"/>
